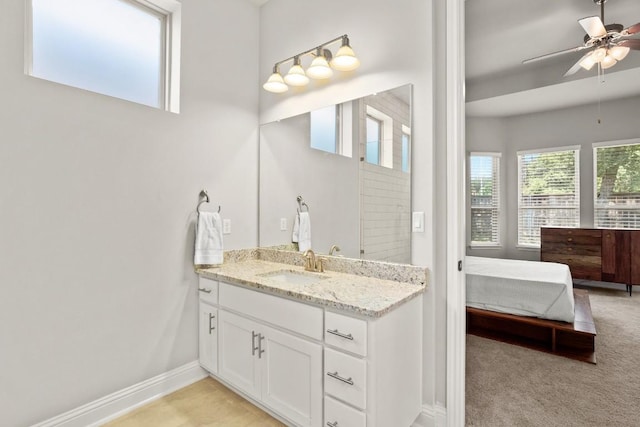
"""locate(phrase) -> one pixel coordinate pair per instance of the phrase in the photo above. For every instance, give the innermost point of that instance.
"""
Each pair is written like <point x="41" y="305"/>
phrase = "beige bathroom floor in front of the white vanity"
<point x="204" y="403"/>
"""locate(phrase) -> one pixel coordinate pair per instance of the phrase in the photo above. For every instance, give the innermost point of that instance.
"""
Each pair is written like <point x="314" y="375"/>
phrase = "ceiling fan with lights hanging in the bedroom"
<point x="607" y="44"/>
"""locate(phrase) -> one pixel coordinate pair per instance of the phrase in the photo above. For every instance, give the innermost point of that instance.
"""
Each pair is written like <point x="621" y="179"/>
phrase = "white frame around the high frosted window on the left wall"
<point x="170" y="12"/>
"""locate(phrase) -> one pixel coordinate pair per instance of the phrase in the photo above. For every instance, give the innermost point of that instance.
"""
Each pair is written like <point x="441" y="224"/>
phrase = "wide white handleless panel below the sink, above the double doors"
<point x="297" y="317"/>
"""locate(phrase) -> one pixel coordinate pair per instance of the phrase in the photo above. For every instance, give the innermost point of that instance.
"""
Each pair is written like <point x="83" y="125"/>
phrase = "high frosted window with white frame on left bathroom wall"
<point x="127" y="49"/>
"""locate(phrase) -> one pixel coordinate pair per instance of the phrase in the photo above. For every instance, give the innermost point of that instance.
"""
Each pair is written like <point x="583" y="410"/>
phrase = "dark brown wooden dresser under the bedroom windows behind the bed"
<point x="594" y="254"/>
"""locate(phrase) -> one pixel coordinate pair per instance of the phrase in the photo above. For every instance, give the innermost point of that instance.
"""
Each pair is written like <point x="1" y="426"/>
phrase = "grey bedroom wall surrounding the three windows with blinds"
<point x="570" y="126"/>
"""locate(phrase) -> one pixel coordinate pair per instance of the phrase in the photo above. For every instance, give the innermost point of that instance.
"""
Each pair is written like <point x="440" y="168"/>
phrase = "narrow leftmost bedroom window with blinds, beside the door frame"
<point x="484" y="189"/>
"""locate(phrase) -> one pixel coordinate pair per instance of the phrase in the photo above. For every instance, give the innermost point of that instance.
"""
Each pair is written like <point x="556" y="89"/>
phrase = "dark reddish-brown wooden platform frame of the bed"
<point x="574" y="340"/>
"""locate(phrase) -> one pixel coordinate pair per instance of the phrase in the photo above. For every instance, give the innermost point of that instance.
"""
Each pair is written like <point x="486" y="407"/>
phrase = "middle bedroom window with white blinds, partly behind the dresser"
<point x="548" y="192"/>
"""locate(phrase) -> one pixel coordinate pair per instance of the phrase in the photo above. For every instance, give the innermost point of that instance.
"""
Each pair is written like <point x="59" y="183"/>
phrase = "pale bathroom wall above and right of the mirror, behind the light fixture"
<point x="394" y="43"/>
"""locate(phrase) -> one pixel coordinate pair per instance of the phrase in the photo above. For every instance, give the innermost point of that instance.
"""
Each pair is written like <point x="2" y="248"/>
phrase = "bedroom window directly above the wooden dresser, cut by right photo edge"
<point x="616" y="184"/>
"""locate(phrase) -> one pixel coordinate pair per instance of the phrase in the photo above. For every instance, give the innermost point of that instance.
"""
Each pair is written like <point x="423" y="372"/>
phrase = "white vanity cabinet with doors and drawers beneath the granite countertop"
<point x="314" y="366"/>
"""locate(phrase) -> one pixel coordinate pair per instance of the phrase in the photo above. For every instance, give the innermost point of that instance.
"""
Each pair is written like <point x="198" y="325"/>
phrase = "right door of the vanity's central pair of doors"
<point x="292" y="377"/>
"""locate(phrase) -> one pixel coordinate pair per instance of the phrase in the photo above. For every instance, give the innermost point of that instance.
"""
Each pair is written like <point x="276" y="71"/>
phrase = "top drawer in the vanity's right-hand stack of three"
<point x="346" y="333"/>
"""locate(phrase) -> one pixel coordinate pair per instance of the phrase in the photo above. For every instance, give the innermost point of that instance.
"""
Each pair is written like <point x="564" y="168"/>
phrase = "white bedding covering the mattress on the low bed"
<point x="524" y="288"/>
